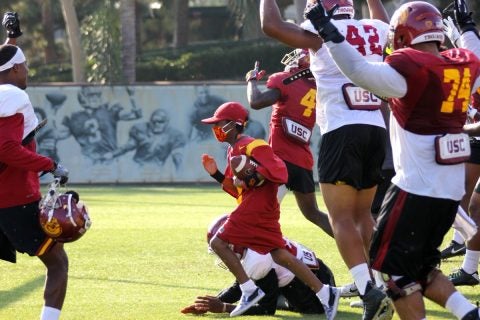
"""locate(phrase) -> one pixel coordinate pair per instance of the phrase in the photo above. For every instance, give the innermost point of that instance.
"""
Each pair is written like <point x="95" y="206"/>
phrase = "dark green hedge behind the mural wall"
<point x="225" y="61"/>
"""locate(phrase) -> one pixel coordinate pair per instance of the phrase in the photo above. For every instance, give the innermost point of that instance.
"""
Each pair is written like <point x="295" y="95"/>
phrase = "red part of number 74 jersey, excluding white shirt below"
<point x="425" y="109"/>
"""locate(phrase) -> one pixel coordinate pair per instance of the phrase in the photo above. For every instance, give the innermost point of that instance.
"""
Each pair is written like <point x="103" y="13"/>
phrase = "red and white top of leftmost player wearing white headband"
<point x="19" y="165"/>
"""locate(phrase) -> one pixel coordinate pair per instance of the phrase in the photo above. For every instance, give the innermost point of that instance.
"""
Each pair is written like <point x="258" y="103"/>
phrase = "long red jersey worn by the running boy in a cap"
<point x="255" y="222"/>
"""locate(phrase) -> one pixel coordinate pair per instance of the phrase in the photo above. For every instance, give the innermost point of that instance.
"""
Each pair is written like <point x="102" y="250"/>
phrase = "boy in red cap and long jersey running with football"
<point x="254" y="224"/>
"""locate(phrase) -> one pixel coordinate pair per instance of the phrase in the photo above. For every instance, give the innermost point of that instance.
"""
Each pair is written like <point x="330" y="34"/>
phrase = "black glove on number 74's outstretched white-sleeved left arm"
<point x="321" y="22"/>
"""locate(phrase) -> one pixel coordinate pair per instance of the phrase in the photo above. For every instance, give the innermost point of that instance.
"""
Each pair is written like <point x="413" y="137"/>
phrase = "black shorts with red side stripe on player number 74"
<point x="408" y="233"/>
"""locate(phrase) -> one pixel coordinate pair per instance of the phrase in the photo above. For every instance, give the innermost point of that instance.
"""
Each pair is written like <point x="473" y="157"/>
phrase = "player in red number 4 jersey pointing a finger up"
<point x="291" y="93"/>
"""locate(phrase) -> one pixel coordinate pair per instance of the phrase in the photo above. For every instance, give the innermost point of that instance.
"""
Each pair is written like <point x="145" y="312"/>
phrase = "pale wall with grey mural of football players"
<point x="135" y="134"/>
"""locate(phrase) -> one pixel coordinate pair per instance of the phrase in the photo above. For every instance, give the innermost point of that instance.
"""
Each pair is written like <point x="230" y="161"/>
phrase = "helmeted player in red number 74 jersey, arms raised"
<point x="428" y="91"/>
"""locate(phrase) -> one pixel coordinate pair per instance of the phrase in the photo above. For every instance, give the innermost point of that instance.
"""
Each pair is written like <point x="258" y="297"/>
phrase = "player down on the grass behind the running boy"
<point x="282" y="289"/>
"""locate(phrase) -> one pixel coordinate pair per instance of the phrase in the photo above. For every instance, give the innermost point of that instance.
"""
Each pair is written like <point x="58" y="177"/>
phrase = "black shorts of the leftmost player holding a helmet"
<point x="20" y="231"/>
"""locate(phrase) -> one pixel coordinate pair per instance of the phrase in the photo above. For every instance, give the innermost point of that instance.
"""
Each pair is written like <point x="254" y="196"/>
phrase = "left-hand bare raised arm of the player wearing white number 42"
<point x="290" y="34"/>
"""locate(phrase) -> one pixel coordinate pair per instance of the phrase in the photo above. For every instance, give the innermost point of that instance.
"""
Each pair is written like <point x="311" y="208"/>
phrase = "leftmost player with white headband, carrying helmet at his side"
<point x="19" y="183"/>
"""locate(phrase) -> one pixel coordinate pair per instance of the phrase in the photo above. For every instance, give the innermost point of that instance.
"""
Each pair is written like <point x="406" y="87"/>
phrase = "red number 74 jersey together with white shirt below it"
<point x="438" y="93"/>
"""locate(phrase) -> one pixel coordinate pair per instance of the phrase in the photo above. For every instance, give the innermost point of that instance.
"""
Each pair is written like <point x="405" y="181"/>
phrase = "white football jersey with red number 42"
<point x="369" y="37"/>
